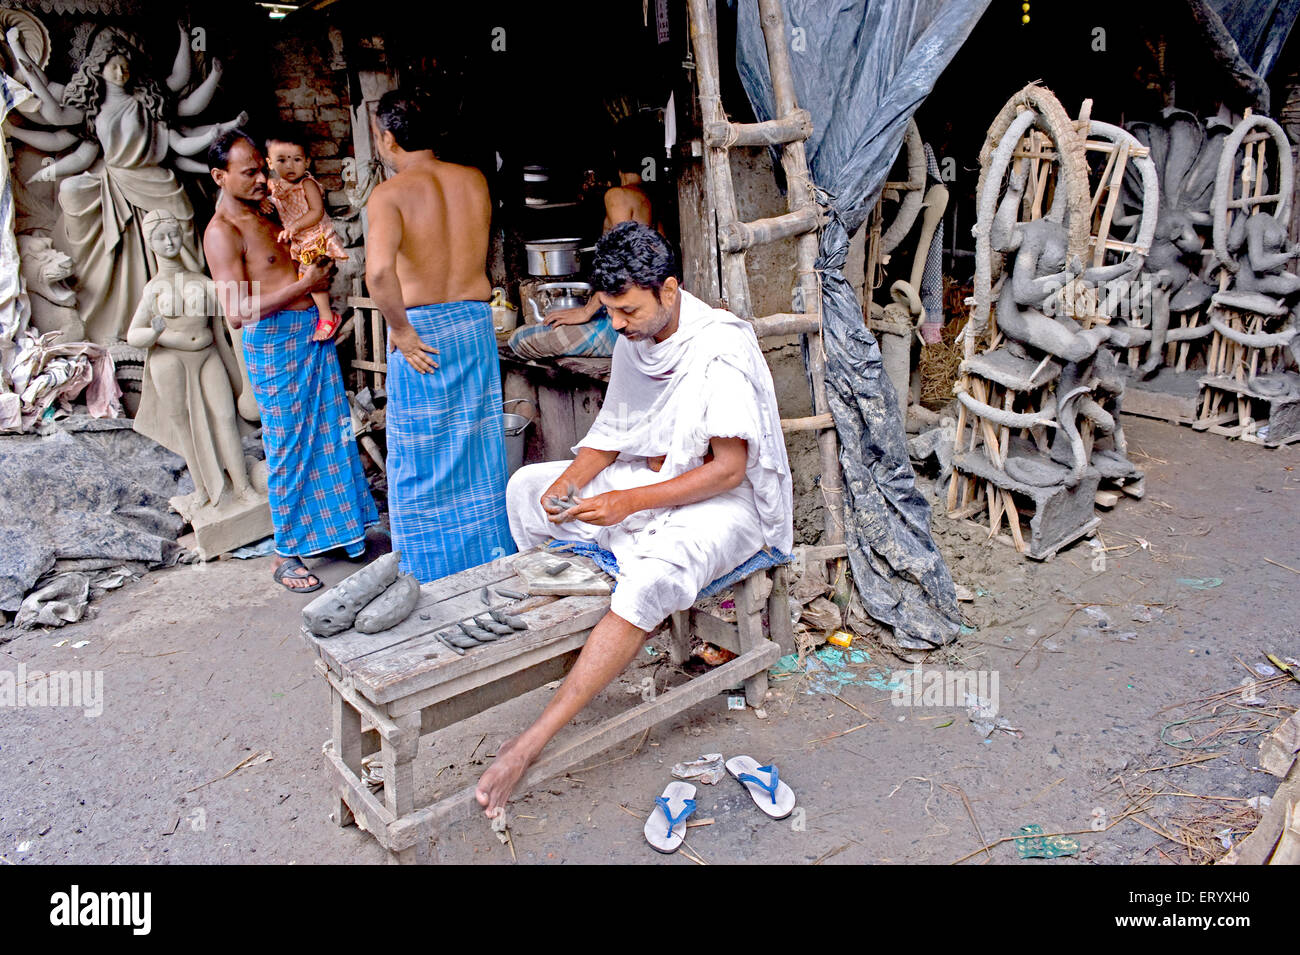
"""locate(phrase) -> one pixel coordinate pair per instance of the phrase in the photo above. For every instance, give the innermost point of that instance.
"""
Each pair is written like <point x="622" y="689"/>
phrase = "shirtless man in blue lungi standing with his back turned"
<point x="426" y="268"/>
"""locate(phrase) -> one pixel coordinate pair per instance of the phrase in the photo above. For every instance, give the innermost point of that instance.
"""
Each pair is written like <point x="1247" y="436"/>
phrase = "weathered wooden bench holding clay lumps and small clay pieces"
<point x="391" y="689"/>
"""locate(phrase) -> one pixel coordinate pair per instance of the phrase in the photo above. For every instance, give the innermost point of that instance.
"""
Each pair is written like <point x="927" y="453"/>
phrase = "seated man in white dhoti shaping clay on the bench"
<point x="683" y="476"/>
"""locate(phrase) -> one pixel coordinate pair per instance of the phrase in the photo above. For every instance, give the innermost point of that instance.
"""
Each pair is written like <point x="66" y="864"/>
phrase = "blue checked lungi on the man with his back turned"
<point x="447" y="459"/>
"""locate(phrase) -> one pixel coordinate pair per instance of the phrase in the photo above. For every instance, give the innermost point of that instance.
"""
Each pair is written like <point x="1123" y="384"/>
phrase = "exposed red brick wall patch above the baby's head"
<point x="314" y="98"/>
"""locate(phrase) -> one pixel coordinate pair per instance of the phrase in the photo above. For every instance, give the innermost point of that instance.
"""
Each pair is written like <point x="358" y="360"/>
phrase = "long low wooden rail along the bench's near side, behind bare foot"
<point x="588" y="743"/>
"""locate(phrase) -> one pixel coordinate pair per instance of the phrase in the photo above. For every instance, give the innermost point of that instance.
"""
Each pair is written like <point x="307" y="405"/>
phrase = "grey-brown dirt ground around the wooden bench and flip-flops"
<point x="203" y="670"/>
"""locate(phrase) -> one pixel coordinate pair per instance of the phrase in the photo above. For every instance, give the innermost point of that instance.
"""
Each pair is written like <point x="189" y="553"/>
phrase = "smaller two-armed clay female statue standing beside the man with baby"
<point x="187" y="401"/>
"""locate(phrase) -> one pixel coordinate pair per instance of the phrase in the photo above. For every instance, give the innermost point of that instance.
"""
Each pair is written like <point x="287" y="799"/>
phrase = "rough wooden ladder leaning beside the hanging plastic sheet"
<point x="790" y="132"/>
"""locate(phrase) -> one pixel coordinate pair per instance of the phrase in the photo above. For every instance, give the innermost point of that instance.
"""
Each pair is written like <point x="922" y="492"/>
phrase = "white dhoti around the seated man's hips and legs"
<point x="666" y="557"/>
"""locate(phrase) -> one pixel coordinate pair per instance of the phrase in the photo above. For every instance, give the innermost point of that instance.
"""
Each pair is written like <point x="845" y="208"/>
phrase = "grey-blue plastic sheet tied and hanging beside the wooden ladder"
<point x="863" y="68"/>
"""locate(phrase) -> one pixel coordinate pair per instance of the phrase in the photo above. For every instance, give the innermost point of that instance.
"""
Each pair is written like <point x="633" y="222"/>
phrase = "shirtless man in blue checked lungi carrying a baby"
<point x="319" y="496"/>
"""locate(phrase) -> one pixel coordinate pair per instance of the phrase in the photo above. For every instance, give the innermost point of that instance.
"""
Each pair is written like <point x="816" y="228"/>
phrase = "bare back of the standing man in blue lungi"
<point x="445" y="215"/>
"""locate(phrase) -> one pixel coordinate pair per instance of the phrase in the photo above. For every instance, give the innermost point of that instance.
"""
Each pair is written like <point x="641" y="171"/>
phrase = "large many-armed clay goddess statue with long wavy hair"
<point x="122" y="127"/>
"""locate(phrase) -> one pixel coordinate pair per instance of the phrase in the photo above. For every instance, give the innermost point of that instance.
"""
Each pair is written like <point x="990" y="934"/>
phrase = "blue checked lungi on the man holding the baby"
<point x="319" y="497"/>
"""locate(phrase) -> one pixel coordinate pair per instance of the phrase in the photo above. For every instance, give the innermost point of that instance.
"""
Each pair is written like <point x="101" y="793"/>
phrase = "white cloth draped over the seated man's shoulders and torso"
<point x="670" y="398"/>
